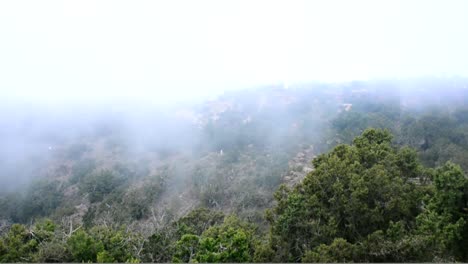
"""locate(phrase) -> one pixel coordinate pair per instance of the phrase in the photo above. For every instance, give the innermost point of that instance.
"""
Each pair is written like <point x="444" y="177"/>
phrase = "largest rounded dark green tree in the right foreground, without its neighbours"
<point x="354" y="191"/>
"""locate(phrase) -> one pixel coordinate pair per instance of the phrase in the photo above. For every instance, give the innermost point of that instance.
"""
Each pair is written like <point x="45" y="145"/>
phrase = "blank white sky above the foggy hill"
<point x="163" y="50"/>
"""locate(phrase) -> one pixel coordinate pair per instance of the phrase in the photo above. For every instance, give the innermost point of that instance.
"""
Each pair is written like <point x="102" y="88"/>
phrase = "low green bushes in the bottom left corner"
<point x="42" y="243"/>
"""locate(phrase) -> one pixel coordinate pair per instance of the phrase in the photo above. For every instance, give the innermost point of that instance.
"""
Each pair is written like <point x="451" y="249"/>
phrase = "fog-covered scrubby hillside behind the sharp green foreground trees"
<point x="148" y="167"/>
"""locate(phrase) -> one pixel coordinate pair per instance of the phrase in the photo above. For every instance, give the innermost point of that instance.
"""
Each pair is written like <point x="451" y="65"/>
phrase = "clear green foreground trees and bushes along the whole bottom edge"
<point x="369" y="201"/>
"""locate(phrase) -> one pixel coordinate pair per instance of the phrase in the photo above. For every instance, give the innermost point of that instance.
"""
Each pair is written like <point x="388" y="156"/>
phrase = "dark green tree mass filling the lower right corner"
<point x="365" y="202"/>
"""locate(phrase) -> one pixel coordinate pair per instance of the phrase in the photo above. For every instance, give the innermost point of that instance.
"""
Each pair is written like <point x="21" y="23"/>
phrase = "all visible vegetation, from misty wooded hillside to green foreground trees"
<point x="388" y="186"/>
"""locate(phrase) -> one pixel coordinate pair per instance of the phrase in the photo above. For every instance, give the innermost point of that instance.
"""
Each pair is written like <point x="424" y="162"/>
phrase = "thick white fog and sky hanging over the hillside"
<point x="69" y="69"/>
